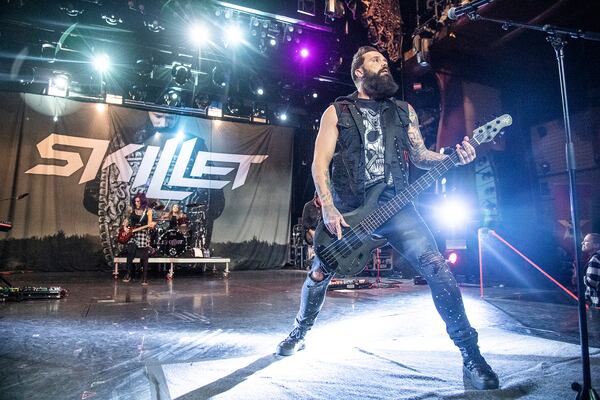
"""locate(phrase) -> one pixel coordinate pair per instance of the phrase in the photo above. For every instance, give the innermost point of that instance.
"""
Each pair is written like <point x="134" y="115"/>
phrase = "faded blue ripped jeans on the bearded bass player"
<point x="408" y="234"/>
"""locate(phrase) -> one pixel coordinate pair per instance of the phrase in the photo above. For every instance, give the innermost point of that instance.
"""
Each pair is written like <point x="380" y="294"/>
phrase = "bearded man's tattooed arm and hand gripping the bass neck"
<point x="424" y="158"/>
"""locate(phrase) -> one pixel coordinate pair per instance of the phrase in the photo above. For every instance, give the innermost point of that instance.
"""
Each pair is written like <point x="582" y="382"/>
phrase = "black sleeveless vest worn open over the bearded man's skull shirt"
<point x="348" y="163"/>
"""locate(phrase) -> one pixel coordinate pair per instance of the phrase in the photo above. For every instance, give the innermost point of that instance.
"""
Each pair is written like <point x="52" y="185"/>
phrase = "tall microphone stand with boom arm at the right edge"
<point x="557" y="38"/>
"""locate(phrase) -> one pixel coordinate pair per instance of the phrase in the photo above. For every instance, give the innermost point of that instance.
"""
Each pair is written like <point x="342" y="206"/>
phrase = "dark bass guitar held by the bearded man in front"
<point x="348" y="256"/>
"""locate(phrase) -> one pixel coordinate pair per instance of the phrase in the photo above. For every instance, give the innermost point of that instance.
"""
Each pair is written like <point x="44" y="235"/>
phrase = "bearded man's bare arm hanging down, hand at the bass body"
<point x="324" y="149"/>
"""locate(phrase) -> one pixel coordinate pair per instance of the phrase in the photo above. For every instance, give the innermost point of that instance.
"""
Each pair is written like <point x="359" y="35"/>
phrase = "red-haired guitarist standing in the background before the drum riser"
<point x="139" y="244"/>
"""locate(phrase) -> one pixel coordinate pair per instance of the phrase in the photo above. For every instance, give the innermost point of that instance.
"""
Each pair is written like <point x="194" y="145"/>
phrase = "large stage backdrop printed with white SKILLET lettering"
<point x="82" y="163"/>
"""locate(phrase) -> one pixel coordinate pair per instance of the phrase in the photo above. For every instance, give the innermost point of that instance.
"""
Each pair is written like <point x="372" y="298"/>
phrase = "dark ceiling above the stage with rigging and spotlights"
<point x="39" y="37"/>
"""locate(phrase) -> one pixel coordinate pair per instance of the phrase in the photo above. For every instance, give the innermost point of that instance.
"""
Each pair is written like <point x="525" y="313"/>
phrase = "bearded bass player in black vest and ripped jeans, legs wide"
<point x="364" y="137"/>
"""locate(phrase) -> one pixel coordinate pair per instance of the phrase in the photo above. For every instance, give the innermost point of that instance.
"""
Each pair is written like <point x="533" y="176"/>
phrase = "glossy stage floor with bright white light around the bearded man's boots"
<point x="202" y="336"/>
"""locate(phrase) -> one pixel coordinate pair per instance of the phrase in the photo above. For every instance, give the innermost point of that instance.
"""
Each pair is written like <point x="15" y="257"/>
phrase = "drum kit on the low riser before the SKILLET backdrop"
<point x="179" y="235"/>
